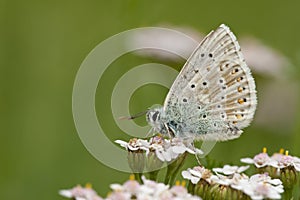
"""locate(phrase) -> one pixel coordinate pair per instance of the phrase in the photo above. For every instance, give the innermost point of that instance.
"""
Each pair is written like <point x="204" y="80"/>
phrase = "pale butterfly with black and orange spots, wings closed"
<point x="214" y="95"/>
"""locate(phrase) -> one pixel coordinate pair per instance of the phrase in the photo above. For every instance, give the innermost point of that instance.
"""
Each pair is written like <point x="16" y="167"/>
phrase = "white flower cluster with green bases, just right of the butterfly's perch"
<point x="230" y="183"/>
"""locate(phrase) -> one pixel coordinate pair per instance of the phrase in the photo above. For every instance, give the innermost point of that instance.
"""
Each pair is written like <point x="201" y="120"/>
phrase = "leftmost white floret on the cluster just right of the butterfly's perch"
<point x="197" y="173"/>
